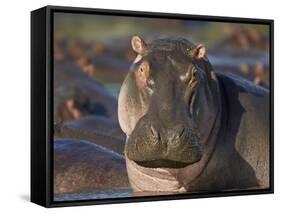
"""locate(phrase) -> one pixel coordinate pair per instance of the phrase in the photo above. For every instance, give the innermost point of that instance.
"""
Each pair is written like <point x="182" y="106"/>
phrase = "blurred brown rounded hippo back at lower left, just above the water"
<point x="80" y="166"/>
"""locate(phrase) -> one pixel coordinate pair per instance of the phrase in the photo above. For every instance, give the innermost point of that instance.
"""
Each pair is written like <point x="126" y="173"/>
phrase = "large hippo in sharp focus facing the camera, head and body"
<point x="188" y="128"/>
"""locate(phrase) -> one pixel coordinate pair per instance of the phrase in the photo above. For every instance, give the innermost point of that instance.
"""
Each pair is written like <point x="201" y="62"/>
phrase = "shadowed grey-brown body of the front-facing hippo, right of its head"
<point x="241" y="156"/>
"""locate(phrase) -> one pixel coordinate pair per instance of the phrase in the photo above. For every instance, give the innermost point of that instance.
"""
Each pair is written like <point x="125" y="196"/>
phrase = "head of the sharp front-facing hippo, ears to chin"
<point x="165" y="103"/>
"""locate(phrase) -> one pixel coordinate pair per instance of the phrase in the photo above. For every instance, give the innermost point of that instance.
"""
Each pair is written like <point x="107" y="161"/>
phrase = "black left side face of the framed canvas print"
<point x="38" y="107"/>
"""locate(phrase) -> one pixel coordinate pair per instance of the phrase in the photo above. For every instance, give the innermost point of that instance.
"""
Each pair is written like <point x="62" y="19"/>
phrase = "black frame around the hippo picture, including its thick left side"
<point x="42" y="102"/>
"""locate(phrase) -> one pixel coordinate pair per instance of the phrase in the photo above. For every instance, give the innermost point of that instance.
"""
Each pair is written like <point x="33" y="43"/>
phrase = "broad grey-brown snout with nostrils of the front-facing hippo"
<point x="155" y="146"/>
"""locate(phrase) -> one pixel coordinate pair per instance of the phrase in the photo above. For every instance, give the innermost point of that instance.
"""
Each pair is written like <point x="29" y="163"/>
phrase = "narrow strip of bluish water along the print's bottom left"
<point x="99" y="194"/>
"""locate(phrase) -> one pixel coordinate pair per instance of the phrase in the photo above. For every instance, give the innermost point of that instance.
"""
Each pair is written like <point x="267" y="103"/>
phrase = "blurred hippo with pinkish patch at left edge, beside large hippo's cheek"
<point x="77" y="95"/>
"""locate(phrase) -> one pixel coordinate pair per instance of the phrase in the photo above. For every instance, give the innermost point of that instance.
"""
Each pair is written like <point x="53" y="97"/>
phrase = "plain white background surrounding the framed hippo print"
<point x="15" y="106"/>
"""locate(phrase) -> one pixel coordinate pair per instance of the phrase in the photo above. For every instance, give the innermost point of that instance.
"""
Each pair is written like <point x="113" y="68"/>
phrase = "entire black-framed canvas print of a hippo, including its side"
<point x="138" y="106"/>
